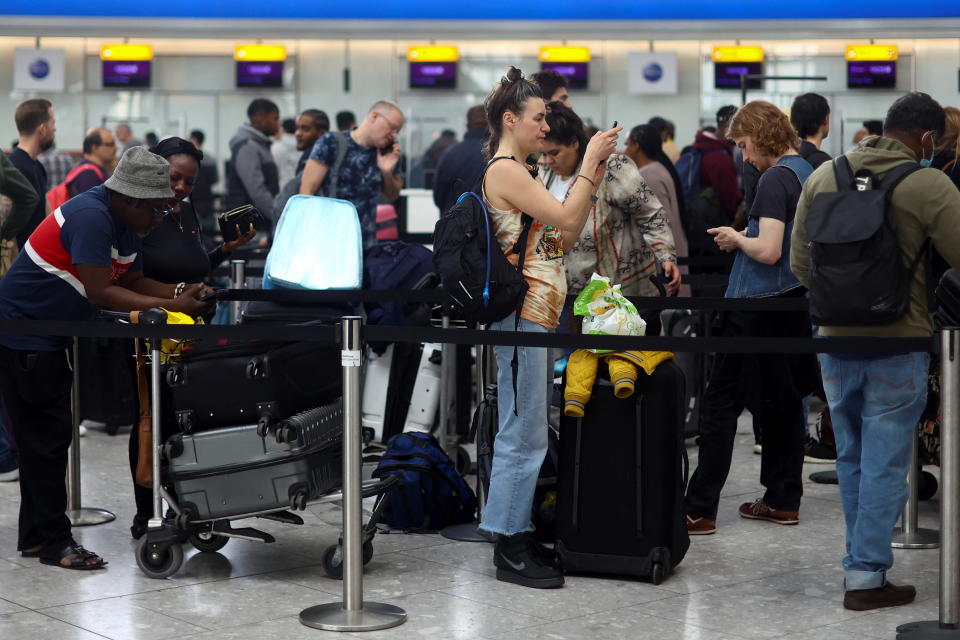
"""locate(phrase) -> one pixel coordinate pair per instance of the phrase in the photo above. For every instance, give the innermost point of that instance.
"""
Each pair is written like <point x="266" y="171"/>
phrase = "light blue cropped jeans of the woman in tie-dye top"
<point x="521" y="442"/>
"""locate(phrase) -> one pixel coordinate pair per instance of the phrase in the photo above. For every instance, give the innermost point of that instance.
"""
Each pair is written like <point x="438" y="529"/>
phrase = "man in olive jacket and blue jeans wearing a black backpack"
<point x="876" y="399"/>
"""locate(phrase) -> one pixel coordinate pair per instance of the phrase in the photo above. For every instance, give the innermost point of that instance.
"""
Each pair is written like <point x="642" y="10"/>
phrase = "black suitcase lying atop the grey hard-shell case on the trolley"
<point x="219" y="385"/>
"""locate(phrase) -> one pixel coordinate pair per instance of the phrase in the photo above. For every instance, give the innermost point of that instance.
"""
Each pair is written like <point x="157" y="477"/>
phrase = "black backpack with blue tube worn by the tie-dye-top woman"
<point x="482" y="284"/>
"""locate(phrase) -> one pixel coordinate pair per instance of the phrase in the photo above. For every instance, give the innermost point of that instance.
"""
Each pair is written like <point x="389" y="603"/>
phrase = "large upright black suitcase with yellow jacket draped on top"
<point x="623" y="471"/>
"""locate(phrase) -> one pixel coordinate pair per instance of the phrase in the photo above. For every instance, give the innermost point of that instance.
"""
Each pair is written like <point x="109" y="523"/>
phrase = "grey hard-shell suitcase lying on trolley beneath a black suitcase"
<point x="232" y="471"/>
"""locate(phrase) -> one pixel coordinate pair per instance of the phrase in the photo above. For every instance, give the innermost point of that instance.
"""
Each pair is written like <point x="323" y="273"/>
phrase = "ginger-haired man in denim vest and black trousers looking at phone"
<point x="771" y="386"/>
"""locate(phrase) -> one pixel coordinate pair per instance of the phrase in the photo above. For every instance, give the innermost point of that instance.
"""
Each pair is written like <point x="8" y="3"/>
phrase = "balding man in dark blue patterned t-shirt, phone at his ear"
<point x="367" y="167"/>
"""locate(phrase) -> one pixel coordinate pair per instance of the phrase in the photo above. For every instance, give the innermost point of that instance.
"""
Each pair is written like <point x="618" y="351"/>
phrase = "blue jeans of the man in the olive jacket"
<point x="875" y="405"/>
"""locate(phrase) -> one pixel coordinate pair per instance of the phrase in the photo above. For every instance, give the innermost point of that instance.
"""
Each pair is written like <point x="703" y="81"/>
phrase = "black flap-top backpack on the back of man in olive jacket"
<point x="853" y="235"/>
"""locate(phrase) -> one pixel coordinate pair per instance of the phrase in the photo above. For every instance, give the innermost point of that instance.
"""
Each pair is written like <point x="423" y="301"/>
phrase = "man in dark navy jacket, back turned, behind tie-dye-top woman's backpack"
<point x="461" y="165"/>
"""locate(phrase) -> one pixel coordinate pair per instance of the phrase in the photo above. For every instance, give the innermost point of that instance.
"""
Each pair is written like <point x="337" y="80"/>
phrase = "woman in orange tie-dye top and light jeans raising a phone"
<point x="516" y="114"/>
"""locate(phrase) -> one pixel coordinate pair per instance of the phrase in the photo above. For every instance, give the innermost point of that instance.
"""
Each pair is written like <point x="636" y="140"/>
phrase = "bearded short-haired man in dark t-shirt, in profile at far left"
<point x="37" y="127"/>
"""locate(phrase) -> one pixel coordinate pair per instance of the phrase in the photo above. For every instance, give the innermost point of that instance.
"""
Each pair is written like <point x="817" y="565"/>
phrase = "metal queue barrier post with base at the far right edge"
<point x="948" y="624"/>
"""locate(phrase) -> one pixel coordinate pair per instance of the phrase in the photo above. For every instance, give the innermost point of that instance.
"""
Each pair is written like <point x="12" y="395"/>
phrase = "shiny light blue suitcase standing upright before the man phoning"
<point x="317" y="245"/>
